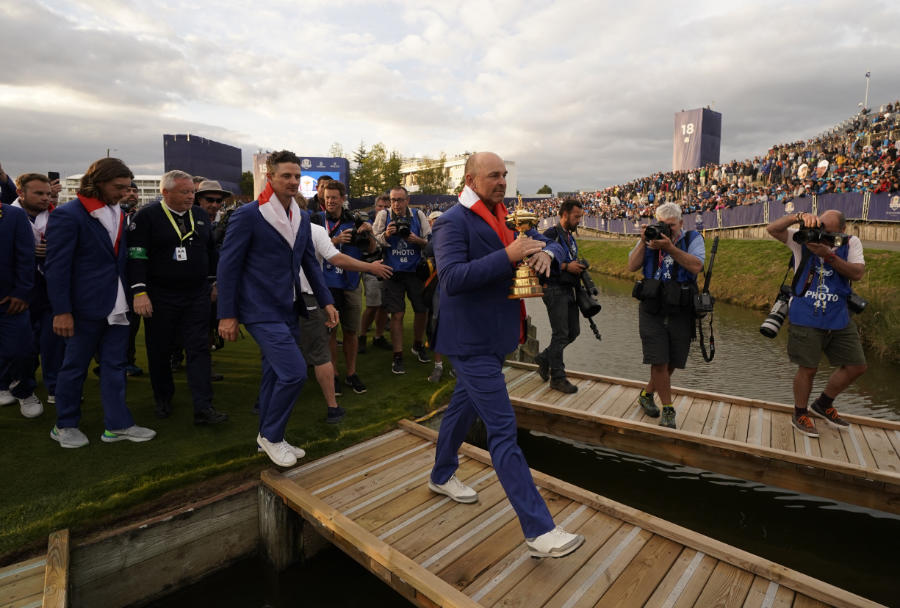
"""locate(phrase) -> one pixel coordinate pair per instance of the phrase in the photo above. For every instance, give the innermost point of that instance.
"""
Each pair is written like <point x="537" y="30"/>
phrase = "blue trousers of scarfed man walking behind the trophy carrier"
<point x="283" y="375"/>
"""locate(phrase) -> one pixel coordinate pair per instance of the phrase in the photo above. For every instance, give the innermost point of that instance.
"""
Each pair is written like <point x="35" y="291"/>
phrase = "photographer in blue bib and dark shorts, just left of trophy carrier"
<point x="403" y="232"/>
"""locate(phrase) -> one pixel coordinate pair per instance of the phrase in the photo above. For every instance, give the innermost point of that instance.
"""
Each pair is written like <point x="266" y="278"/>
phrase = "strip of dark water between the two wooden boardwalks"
<point x="847" y="546"/>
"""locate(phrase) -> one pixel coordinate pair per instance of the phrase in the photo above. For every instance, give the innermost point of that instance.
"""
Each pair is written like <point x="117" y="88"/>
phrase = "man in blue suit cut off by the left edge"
<point x="16" y="285"/>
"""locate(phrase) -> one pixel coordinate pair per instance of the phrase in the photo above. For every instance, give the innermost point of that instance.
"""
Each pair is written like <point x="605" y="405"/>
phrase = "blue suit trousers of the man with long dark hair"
<point x="110" y="342"/>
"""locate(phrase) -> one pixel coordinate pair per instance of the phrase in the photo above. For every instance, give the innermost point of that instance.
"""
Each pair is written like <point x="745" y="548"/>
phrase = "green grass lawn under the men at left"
<point x="46" y="487"/>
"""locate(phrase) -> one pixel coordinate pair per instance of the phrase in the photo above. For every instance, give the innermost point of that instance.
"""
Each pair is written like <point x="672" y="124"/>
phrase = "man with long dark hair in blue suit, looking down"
<point x="85" y="270"/>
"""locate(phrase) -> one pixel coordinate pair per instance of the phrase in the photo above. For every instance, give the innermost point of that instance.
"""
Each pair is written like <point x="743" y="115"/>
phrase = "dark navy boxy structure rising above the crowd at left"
<point x="201" y="156"/>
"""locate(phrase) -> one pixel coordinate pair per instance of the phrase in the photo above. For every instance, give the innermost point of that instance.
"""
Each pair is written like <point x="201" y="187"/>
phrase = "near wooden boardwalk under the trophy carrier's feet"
<point x="372" y="501"/>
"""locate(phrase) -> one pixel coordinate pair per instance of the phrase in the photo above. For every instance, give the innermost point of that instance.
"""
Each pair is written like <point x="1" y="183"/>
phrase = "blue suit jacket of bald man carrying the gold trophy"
<point x="476" y="316"/>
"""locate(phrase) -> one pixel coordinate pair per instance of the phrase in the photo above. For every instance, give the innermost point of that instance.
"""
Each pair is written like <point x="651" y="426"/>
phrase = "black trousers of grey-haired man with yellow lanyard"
<point x="179" y="317"/>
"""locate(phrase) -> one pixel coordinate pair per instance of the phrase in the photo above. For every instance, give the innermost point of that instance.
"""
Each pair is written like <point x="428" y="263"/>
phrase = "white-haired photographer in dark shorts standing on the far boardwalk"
<point x="670" y="260"/>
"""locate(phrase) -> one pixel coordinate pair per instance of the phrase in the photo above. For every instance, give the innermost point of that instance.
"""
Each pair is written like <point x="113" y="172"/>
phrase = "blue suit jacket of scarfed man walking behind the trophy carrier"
<point x="259" y="273"/>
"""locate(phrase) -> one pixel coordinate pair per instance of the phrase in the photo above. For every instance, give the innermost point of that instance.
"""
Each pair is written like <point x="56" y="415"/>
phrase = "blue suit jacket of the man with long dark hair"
<point x="82" y="268"/>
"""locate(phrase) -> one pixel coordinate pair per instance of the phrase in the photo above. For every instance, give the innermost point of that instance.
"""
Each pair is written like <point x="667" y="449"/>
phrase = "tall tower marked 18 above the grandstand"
<point x="697" y="139"/>
